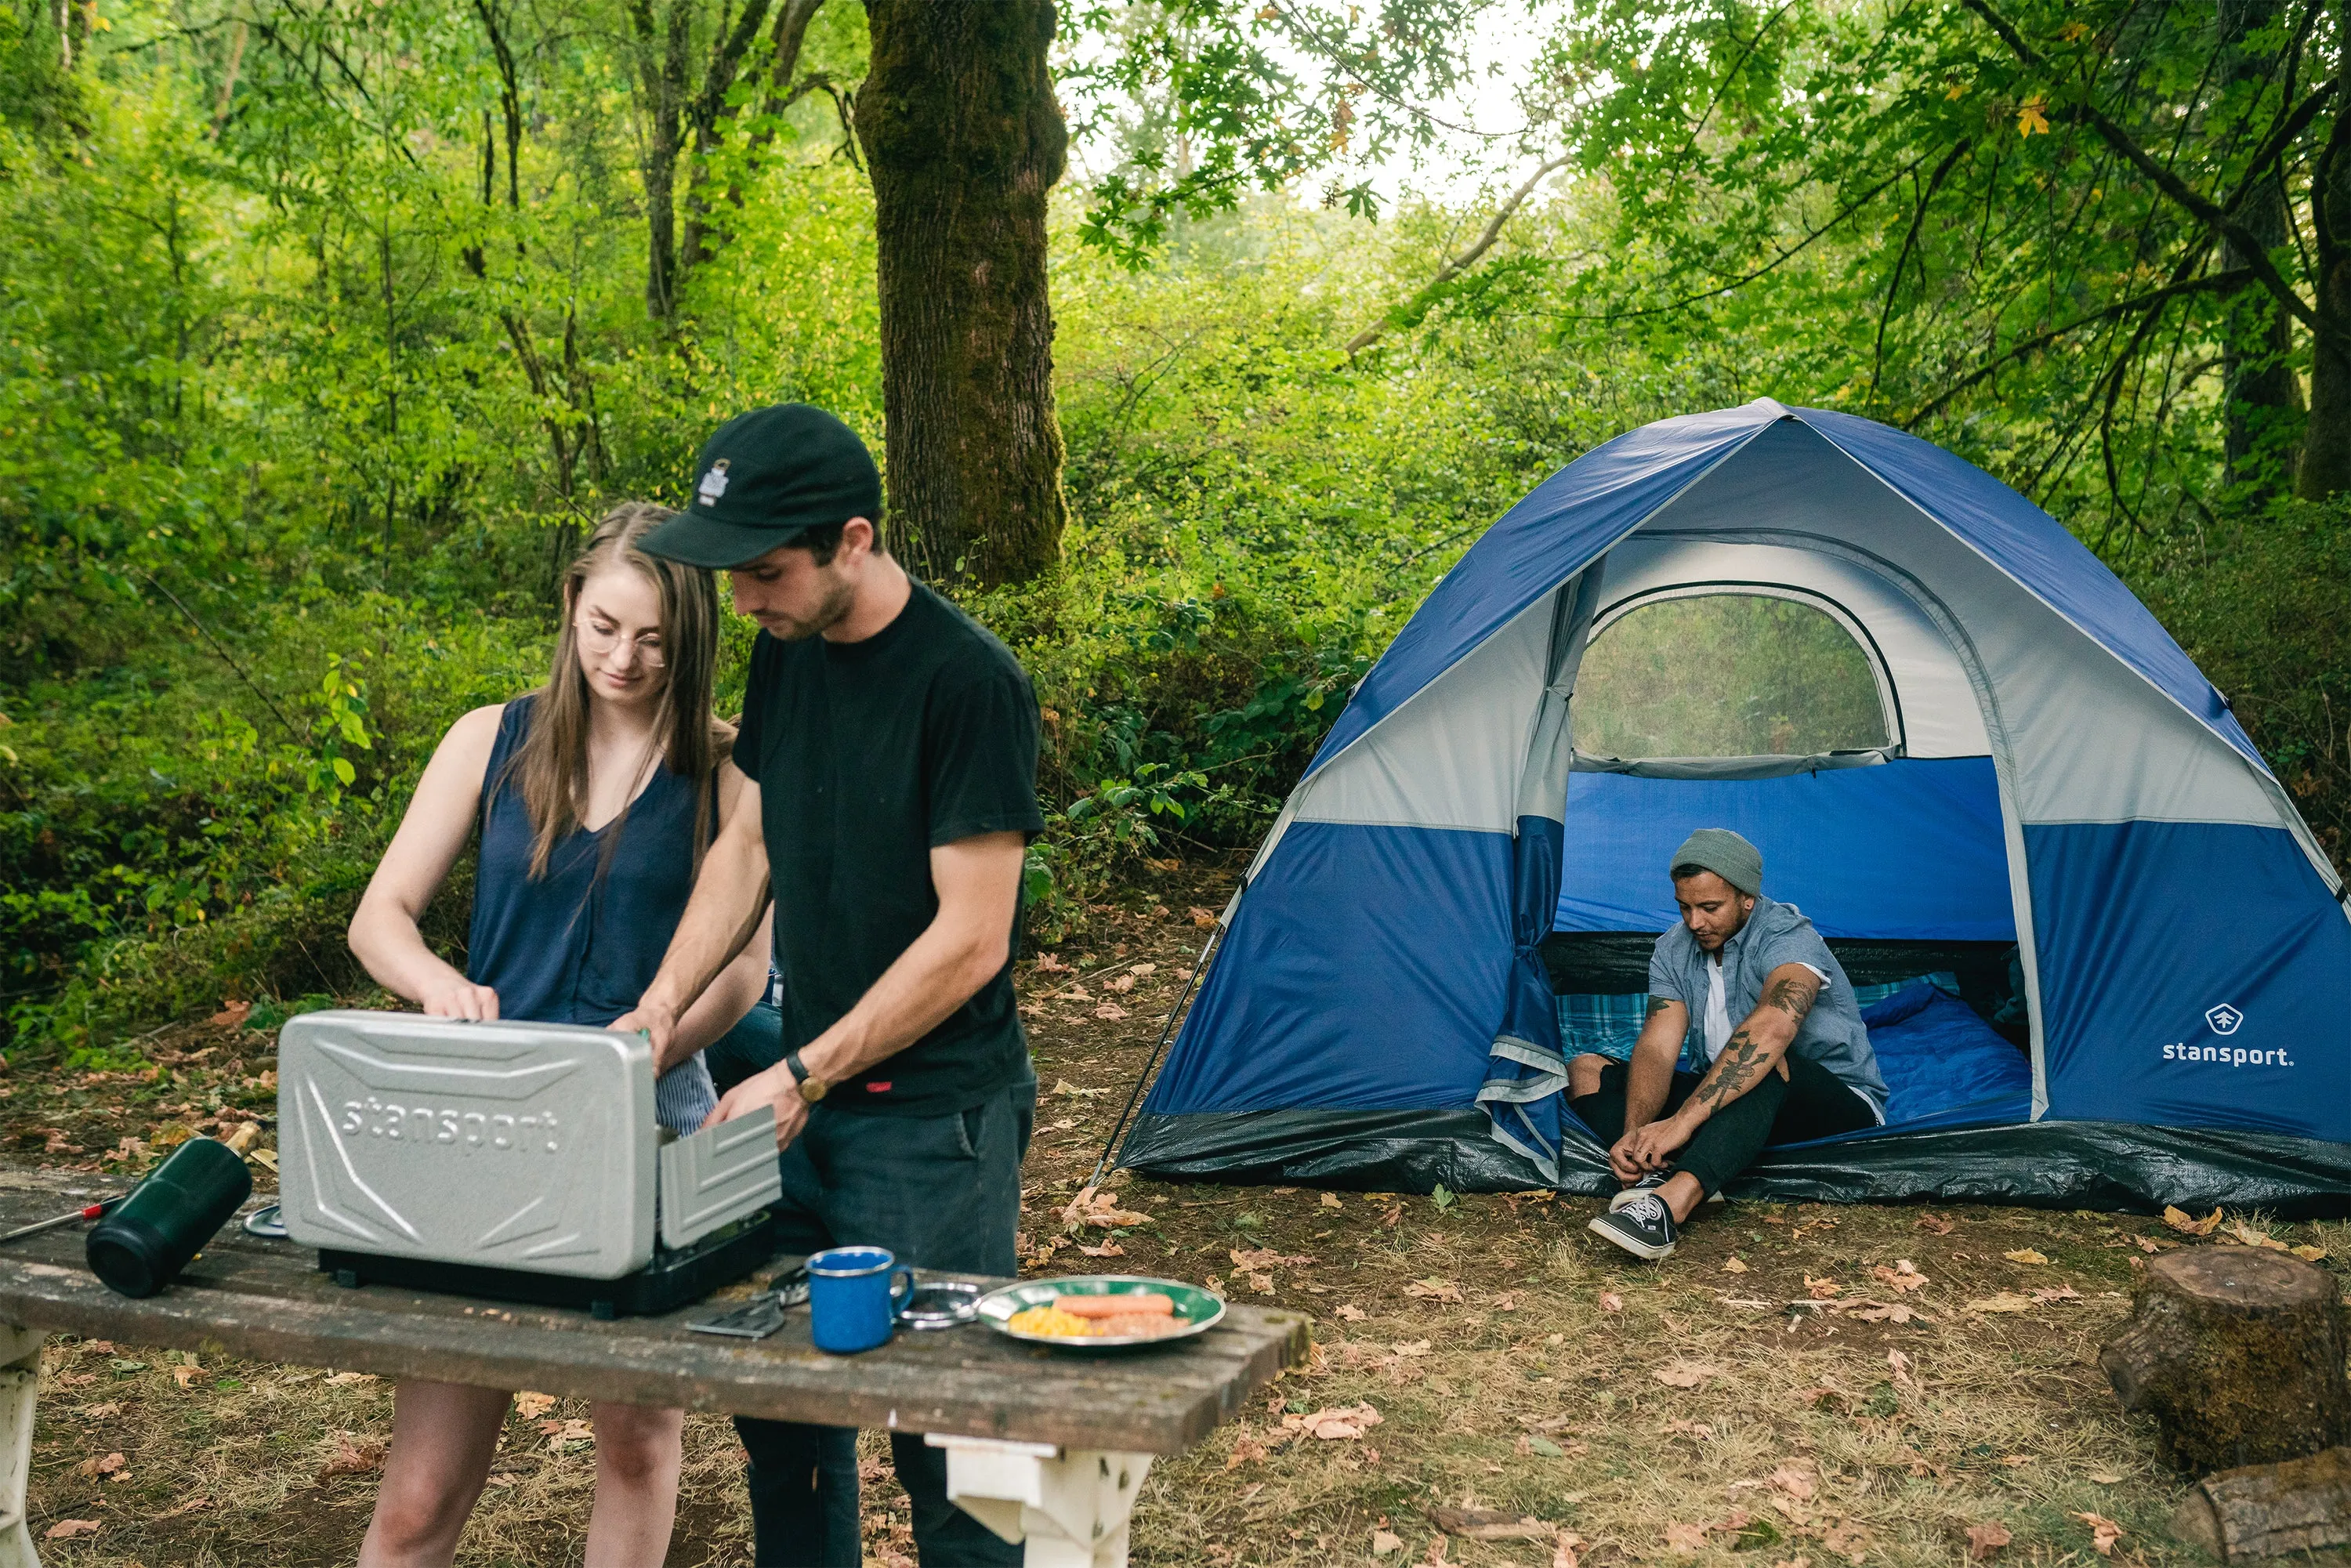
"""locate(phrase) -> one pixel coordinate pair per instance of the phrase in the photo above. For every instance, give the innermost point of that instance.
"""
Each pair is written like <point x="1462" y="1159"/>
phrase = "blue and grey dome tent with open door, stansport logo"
<point x="2047" y="798"/>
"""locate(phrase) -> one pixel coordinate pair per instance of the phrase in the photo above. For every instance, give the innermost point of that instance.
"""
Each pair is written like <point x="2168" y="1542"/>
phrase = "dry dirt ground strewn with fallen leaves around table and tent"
<point x="1797" y="1388"/>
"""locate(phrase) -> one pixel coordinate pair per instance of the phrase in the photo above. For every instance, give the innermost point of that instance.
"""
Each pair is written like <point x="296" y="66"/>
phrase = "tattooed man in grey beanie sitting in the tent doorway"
<point x="1795" y="1068"/>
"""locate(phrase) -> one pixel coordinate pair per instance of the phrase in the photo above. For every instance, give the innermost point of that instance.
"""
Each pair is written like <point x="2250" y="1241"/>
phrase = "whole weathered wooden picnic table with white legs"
<point x="1043" y="1447"/>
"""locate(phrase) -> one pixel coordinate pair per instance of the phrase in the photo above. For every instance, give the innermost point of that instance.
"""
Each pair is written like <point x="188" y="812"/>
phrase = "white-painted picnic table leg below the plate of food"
<point x="1071" y="1506"/>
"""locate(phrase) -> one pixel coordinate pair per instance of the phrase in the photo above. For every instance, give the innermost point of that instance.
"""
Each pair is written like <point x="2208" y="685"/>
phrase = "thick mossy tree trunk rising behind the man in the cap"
<point x="965" y="140"/>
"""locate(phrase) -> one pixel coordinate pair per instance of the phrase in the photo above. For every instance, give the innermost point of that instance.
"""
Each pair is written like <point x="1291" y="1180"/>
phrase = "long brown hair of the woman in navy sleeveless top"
<point x="551" y="765"/>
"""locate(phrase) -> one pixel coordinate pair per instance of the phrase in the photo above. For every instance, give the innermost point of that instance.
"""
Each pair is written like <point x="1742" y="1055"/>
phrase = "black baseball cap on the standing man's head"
<point x="765" y="481"/>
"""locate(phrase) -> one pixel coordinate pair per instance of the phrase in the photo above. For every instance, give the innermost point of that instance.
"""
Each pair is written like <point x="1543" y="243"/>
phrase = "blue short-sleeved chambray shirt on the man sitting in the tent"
<point x="1776" y="934"/>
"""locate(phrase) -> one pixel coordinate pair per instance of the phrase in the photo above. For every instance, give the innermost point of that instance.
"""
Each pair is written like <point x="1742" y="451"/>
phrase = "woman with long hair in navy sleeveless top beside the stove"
<point x="596" y="798"/>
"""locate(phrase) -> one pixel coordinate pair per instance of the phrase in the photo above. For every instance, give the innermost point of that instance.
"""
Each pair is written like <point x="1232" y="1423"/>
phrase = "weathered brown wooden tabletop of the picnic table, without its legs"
<point x="269" y="1304"/>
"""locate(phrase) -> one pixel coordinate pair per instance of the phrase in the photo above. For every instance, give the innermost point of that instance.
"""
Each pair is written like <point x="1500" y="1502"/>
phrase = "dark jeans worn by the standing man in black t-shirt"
<point x="942" y="1193"/>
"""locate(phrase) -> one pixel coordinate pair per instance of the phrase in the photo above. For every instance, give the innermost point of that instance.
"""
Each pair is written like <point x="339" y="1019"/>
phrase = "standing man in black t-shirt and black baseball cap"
<point x="890" y="749"/>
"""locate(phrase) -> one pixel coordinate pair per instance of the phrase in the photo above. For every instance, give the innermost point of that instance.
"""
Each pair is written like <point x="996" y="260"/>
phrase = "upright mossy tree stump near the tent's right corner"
<point x="2239" y="1355"/>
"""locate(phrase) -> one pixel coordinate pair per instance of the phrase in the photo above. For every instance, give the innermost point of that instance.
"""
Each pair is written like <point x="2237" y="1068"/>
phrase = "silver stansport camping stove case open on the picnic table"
<point x="500" y="1148"/>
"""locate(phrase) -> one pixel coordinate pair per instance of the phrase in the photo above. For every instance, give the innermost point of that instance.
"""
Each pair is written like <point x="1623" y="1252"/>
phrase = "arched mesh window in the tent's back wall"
<point x="1727" y="676"/>
